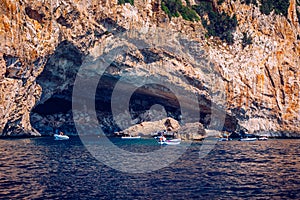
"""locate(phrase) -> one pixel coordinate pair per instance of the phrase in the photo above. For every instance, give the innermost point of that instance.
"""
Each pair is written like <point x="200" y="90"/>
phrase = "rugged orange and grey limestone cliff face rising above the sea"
<point x="45" y="43"/>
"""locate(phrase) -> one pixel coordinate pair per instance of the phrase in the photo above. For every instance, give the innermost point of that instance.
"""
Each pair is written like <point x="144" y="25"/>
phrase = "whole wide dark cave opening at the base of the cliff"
<point x="54" y="111"/>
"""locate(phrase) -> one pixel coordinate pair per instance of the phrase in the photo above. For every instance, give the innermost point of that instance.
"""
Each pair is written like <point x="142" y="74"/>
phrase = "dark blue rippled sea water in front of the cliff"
<point x="48" y="169"/>
